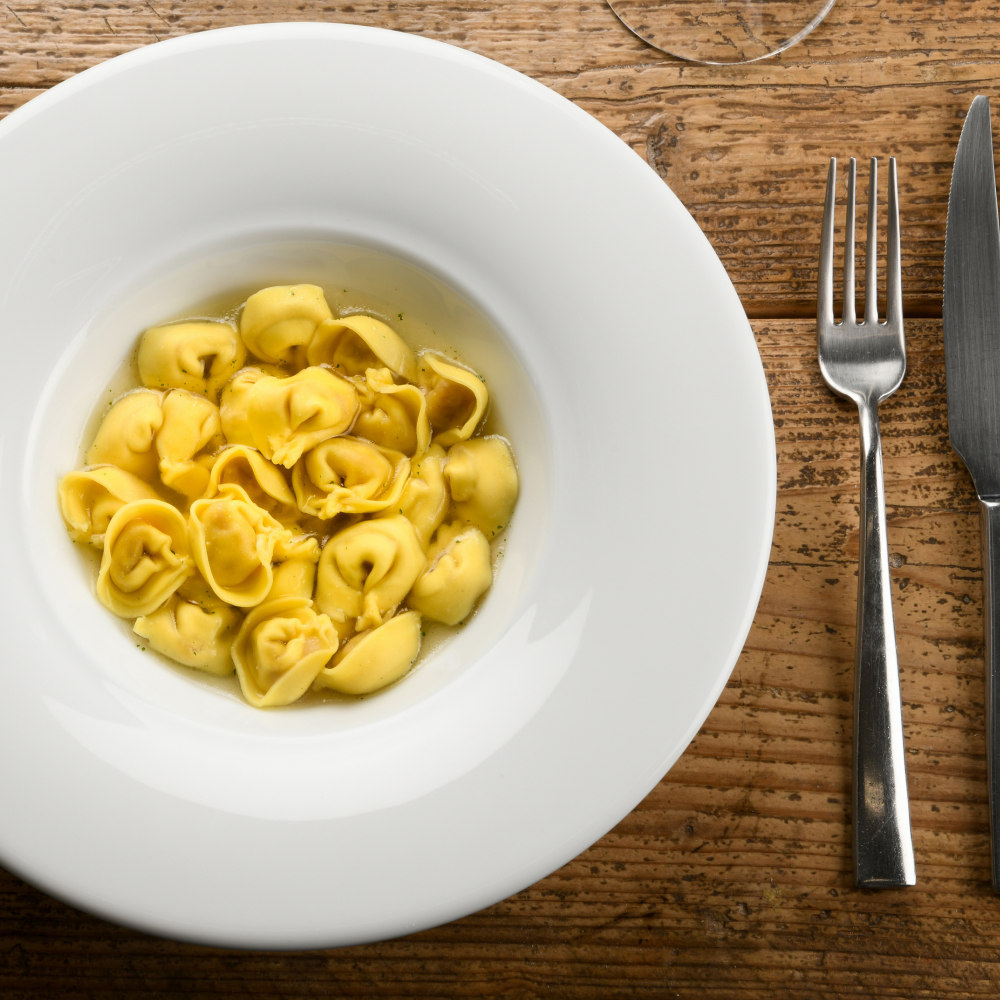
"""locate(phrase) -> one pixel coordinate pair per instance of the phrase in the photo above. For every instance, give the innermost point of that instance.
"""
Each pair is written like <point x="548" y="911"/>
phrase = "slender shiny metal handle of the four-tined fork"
<point x="883" y="848"/>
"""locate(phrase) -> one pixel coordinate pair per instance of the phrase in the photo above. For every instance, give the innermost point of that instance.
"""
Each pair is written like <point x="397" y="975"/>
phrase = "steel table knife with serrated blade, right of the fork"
<point x="972" y="361"/>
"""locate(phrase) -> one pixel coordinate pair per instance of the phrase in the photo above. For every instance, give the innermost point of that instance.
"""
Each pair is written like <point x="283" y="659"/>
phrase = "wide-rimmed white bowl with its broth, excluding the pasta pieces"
<point x="623" y="368"/>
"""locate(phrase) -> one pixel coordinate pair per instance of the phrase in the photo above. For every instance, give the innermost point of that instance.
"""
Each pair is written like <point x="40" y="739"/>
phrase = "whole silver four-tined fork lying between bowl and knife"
<point x="865" y="362"/>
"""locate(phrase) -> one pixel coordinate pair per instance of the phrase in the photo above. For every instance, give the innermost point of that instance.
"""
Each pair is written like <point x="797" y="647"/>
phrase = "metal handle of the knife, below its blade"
<point x="990" y="509"/>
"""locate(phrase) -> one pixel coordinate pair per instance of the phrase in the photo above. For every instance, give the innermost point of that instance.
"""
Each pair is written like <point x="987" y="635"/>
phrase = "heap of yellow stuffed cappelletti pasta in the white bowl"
<point x="291" y="496"/>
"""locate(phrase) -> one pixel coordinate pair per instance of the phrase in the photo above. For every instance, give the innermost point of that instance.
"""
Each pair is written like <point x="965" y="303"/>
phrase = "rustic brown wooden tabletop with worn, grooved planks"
<point x="733" y="878"/>
